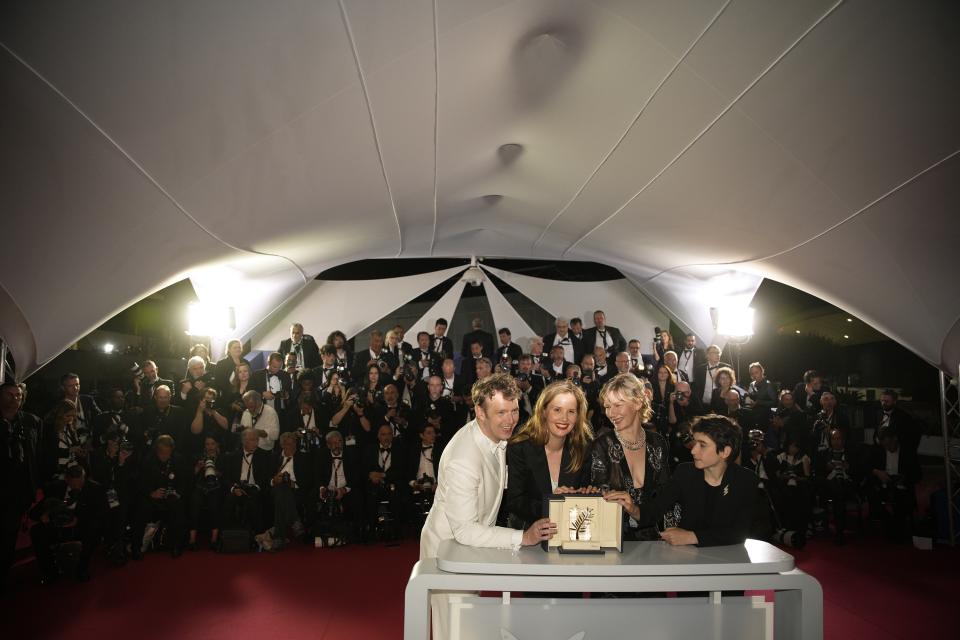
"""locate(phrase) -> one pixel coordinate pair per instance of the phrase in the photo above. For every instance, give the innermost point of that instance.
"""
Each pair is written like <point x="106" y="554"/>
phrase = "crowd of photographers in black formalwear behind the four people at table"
<point x="328" y="446"/>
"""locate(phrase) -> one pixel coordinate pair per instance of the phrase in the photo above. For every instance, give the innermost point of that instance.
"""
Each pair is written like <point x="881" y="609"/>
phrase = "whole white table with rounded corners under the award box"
<point x="641" y="567"/>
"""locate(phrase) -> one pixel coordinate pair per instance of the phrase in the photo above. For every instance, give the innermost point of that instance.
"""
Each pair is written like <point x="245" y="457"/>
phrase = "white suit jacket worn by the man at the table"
<point x="472" y="478"/>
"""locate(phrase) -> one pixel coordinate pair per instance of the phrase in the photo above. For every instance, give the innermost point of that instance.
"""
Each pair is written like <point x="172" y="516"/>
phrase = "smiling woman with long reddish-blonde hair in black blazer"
<point x="549" y="454"/>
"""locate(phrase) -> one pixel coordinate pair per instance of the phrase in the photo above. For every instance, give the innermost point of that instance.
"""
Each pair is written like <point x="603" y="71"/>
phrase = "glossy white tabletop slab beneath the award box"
<point x="637" y="559"/>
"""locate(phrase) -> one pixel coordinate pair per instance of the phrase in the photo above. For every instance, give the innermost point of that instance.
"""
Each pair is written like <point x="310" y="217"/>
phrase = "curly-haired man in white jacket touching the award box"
<point x="473" y="476"/>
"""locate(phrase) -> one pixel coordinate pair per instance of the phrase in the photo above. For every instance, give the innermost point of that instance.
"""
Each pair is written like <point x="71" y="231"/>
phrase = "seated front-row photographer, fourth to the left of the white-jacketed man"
<point x="293" y="489"/>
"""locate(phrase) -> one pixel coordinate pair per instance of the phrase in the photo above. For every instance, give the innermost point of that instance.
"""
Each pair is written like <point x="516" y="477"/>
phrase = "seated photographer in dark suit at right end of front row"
<point x="892" y="474"/>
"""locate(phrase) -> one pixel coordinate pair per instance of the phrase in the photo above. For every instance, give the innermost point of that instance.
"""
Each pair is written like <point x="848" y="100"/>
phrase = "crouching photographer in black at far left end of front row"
<point x="72" y="511"/>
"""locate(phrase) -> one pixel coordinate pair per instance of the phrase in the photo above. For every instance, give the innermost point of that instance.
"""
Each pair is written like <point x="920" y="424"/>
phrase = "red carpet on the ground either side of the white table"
<point x="871" y="590"/>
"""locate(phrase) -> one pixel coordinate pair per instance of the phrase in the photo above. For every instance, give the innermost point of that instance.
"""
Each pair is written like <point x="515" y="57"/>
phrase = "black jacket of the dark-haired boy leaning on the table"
<point x="728" y="522"/>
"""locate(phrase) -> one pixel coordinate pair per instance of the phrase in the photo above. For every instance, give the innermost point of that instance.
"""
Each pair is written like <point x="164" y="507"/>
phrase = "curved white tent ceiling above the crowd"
<point x="697" y="146"/>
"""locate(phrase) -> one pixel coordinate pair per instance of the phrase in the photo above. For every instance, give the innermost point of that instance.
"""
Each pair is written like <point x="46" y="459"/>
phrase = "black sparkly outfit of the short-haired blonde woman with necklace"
<point x="609" y="471"/>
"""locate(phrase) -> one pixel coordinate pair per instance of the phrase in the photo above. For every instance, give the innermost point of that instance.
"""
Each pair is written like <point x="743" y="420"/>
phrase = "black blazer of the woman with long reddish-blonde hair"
<point x="528" y="480"/>
